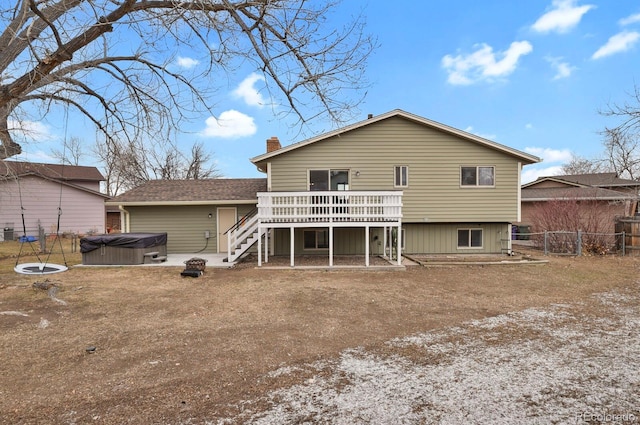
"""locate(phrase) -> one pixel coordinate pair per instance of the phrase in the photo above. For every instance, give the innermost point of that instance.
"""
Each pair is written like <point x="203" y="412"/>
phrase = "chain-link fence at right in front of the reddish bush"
<point x="562" y="242"/>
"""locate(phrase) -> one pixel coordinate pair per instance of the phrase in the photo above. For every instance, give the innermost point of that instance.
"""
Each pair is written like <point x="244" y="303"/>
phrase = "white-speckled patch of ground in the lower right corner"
<point x="565" y="364"/>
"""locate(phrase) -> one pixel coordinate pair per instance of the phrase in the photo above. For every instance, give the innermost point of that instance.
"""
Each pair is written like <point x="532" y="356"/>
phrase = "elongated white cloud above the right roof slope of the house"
<point x="484" y="63"/>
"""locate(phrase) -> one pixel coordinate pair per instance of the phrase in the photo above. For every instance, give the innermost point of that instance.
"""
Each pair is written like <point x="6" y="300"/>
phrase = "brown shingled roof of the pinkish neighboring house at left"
<point x="52" y="171"/>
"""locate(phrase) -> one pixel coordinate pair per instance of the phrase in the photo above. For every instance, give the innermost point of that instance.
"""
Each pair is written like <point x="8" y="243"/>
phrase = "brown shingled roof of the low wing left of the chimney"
<point x="189" y="191"/>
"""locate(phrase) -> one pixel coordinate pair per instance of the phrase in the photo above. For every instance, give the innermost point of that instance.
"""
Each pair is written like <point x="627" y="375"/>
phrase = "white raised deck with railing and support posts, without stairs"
<point x="331" y="210"/>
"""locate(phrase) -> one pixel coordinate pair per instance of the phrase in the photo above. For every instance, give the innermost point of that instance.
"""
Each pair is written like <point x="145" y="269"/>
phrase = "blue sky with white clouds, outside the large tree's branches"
<point x="531" y="75"/>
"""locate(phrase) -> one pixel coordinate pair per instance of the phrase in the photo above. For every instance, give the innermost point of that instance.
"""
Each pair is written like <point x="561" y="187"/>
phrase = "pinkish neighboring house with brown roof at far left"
<point x="48" y="194"/>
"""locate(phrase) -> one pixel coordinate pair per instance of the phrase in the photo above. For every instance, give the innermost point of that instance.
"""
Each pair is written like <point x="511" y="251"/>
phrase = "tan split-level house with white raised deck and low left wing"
<point x="392" y="183"/>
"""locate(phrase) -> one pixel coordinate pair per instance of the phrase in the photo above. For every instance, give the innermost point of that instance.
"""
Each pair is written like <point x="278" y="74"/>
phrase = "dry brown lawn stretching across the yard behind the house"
<point x="174" y="350"/>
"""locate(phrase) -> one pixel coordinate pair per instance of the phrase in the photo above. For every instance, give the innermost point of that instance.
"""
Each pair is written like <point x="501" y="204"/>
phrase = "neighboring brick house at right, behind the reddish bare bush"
<point x="604" y="194"/>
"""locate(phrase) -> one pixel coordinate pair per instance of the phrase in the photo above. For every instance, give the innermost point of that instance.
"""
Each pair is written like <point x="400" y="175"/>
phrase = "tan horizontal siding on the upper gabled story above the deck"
<point x="434" y="159"/>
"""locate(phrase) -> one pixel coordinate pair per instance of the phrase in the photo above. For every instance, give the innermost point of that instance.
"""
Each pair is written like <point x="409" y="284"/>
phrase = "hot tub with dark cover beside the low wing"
<point x="121" y="248"/>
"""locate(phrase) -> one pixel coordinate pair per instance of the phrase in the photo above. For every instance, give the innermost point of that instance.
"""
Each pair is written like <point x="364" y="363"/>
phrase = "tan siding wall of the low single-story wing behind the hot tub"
<point x="184" y="225"/>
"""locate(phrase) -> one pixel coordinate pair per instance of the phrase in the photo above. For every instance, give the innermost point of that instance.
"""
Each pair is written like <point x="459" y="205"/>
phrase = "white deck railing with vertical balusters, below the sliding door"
<point x="330" y="206"/>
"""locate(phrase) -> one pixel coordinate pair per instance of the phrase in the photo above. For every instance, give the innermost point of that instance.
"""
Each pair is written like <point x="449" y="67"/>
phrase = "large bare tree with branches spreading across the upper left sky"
<point x="113" y="61"/>
